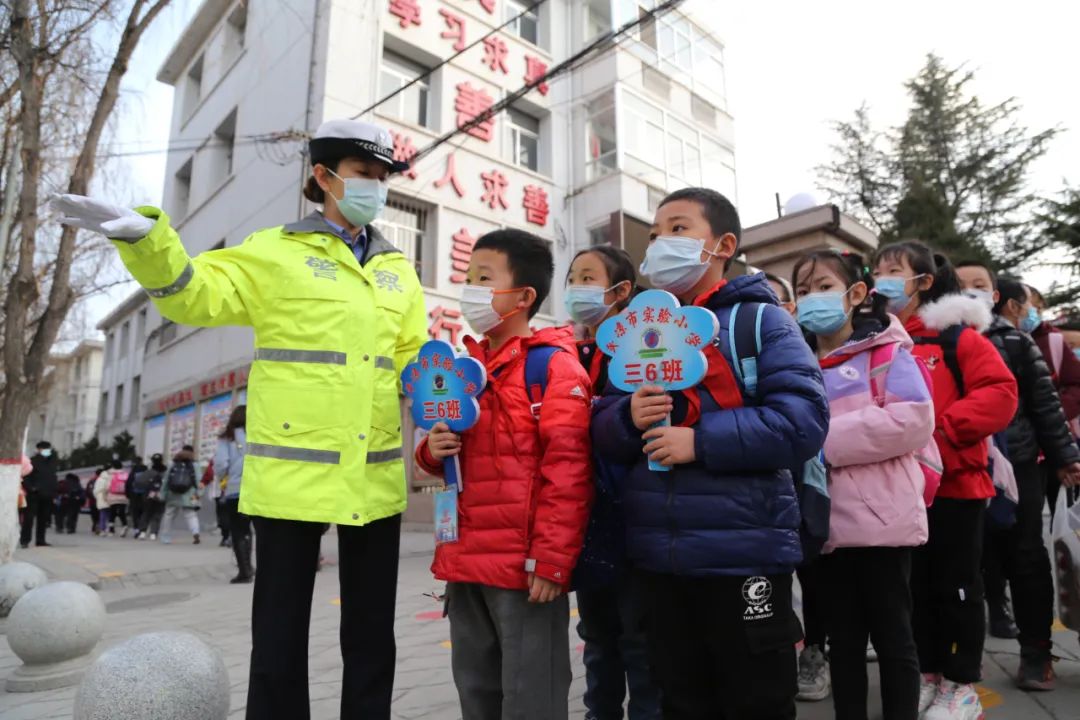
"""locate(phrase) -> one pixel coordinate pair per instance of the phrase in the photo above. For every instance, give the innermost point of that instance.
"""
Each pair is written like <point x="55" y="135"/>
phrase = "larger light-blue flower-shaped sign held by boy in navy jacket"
<point x="657" y="343"/>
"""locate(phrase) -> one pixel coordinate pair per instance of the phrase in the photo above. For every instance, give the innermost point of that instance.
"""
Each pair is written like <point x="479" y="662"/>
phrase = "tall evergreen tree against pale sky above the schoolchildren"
<point x="954" y="175"/>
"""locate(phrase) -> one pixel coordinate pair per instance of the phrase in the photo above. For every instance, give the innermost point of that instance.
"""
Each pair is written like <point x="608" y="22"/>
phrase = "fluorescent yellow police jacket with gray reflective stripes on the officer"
<point x="332" y="337"/>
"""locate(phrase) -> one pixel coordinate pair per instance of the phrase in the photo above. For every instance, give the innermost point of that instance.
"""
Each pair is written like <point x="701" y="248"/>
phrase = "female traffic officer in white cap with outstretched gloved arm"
<point x="337" y="314"/>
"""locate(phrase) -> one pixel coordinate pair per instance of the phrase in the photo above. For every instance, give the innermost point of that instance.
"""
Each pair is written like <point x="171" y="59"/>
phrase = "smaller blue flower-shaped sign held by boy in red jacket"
<point x="444" y="387"/>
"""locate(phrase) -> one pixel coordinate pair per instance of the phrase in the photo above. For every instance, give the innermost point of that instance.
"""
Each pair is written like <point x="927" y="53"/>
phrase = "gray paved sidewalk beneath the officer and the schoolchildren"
<point x="150" y="587"/>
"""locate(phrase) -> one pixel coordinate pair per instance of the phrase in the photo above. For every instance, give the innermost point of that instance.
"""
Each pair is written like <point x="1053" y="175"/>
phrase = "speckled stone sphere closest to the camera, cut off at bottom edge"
<point x="165" y="676"/>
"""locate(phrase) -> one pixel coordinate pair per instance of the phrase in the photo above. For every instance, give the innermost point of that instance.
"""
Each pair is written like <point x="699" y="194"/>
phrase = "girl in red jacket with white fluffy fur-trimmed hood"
<point x="975" y="397"/>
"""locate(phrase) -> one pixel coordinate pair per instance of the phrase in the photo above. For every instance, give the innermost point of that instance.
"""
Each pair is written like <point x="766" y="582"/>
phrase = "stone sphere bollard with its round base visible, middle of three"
<point x="53" y="630"/>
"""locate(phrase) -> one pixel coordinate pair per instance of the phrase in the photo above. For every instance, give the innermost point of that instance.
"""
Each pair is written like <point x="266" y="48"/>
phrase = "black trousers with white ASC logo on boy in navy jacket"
<point x="723" y="648"/>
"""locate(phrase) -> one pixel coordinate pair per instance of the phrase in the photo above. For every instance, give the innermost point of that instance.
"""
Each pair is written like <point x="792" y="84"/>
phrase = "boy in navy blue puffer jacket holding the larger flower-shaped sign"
<point x="717" y="539"/>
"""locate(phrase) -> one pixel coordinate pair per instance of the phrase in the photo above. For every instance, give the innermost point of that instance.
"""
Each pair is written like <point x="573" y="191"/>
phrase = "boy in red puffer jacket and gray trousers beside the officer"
<point x="525" y="494"/>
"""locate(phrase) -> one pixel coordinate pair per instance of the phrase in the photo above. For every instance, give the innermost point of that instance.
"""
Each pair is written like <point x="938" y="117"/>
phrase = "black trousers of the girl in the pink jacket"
<point x="868" y="595"/>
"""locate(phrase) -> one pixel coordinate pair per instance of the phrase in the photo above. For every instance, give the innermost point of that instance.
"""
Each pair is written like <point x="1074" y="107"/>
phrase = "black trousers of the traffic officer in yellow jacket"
<point x="288" y="558"/>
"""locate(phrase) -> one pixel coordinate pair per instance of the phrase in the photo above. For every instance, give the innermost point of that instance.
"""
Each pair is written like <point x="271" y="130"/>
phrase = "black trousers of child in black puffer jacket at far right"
<point x="1019" y="555"/>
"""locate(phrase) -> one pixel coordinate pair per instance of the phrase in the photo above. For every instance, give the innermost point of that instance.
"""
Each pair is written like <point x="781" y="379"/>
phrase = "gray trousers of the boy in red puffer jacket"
<point x="511" y="658"/>
